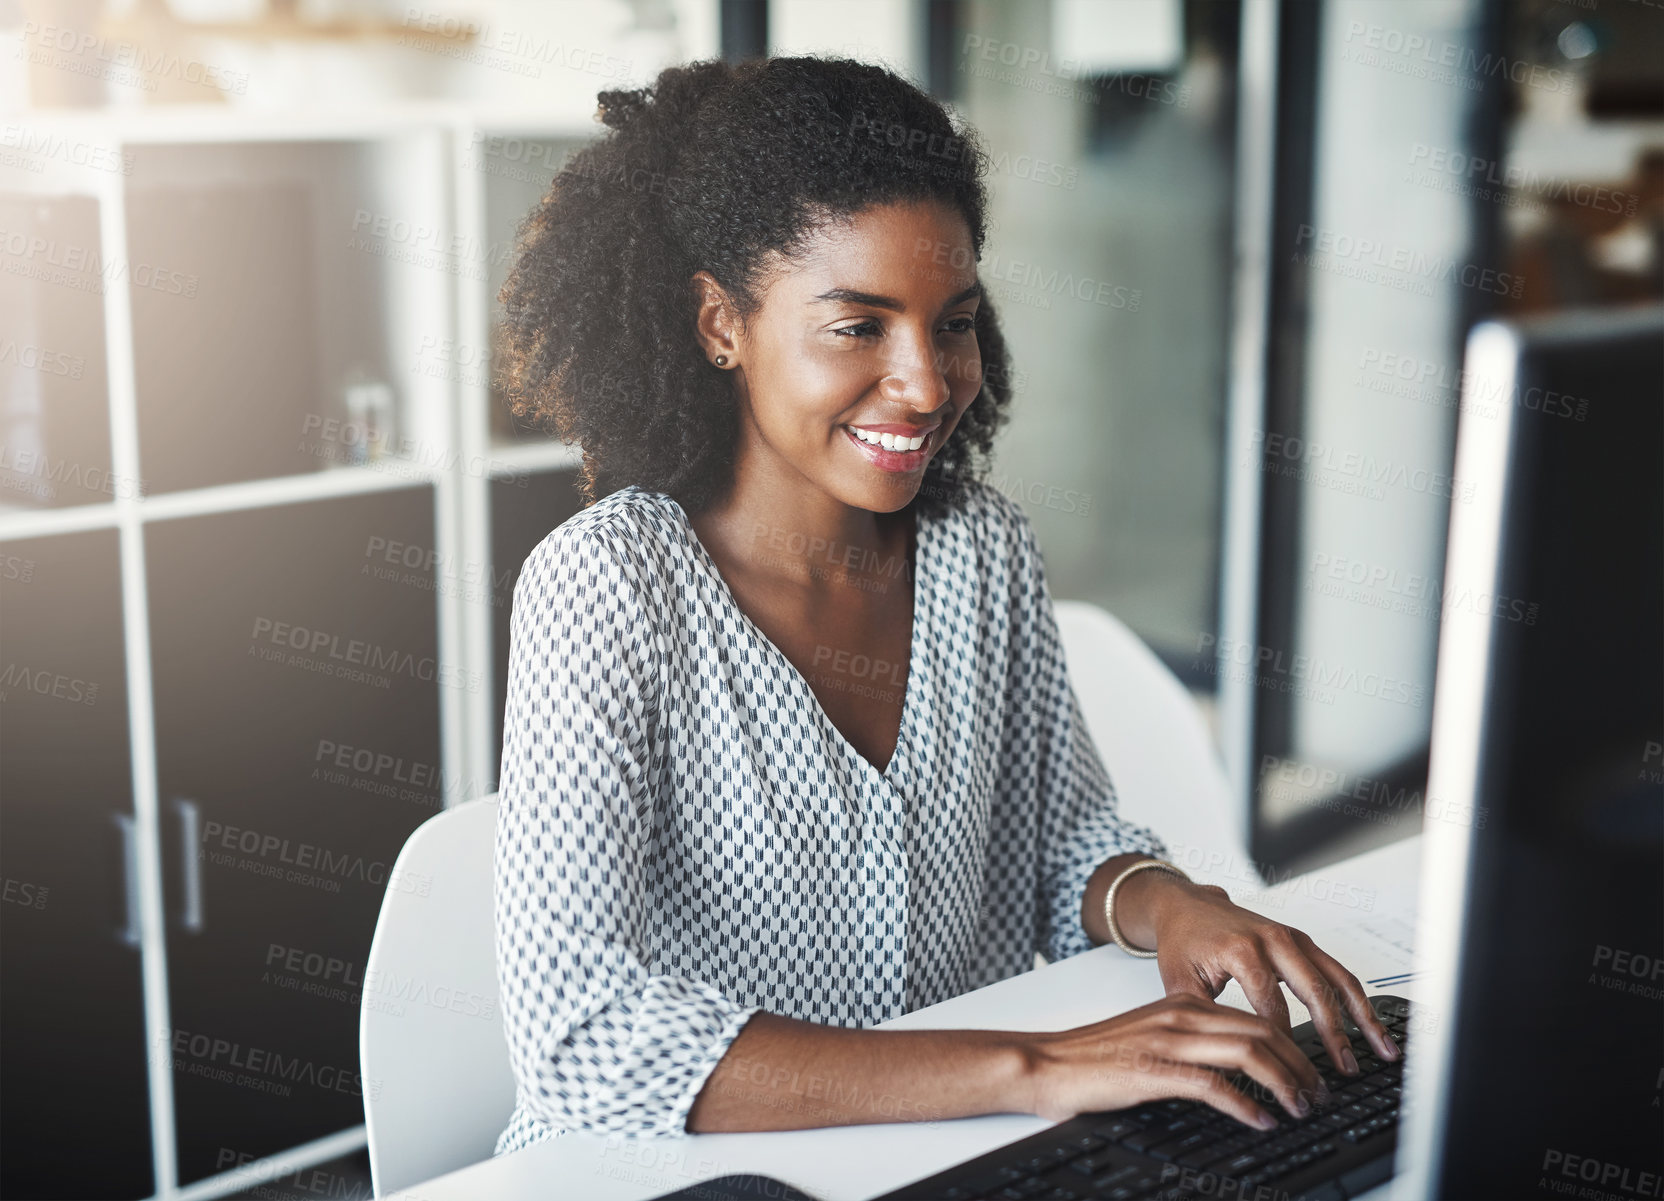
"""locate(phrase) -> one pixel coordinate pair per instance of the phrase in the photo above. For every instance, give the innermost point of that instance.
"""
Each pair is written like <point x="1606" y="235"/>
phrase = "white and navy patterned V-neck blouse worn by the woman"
<point x="685" y="838"/>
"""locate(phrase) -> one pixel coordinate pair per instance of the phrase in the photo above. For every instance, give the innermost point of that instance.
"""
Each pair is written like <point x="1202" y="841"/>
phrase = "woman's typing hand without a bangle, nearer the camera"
<point x="1181" y="1047"/>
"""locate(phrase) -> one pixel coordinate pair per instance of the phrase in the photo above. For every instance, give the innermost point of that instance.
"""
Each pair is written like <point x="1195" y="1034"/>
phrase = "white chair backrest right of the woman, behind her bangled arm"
<point x="1151" y="734"/>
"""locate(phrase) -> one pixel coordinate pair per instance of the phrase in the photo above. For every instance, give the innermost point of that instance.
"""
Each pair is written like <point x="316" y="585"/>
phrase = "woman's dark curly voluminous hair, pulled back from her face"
<point x="716" y="167"/>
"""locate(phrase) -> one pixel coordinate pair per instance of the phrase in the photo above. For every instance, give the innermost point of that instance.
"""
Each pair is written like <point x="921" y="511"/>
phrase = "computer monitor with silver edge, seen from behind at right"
<point x="1538" y="1052"/>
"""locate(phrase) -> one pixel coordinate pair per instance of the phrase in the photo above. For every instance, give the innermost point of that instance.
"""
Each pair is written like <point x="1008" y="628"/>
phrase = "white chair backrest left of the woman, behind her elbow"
<point x="438" y="1089"/>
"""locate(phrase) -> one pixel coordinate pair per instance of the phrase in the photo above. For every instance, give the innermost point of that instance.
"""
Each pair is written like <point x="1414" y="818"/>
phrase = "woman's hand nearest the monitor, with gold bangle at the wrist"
<point x="1204" y="941"/>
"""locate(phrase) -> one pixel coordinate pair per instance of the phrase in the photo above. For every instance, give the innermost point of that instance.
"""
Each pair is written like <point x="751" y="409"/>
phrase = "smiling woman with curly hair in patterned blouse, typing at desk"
<point x="790" y="744"/>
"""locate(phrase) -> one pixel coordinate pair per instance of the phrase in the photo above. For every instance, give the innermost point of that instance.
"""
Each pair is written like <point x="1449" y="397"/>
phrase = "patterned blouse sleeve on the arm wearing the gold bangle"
<point x="1079" y="826"/>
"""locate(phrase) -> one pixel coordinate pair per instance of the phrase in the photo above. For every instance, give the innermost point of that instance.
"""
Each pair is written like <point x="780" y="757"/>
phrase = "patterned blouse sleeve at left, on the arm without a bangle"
<point x="597" y="1040"/>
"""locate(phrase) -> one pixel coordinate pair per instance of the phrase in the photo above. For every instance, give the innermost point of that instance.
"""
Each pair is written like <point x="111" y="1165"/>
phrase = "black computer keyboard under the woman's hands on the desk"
<point x="1179" y="1150"/>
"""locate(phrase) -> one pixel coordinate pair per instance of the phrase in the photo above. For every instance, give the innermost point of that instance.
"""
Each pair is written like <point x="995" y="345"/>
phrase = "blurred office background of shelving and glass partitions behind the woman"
<point x="262" y="508"/>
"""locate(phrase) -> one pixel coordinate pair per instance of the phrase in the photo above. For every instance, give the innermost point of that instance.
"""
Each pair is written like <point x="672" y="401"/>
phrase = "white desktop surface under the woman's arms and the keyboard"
<point x="1359" y="911"/>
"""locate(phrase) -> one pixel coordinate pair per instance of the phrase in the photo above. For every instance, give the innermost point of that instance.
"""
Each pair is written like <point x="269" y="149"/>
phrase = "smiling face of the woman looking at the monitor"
<point x="863" y="357"/>
